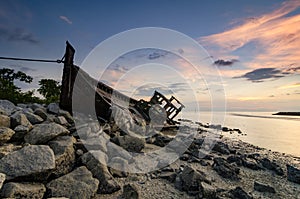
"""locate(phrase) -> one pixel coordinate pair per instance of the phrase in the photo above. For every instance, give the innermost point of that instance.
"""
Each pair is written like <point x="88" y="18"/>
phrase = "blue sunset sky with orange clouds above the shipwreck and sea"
<point x="249" y="58"/>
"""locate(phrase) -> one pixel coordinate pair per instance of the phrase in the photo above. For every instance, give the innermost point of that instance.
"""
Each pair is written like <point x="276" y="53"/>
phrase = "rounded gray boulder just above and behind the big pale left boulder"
<point x="42" y="133"/>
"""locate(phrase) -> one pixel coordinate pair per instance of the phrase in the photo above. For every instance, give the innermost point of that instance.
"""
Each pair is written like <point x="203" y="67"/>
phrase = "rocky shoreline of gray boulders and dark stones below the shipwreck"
<point x="43" y="155"/>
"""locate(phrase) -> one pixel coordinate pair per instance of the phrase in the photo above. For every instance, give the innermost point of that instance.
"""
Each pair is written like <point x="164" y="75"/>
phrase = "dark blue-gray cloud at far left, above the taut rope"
<point x="18" y="34"/>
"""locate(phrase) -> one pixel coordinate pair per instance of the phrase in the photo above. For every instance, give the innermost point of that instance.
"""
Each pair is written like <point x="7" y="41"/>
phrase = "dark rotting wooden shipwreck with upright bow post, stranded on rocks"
<point x="159" y="109"/>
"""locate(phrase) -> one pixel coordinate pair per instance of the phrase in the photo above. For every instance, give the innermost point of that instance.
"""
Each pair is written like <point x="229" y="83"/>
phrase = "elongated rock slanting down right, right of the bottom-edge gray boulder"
<point x="94" y="162"/>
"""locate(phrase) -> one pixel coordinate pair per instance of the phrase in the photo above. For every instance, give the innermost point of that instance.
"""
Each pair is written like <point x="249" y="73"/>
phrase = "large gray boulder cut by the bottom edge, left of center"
<point x="77" y="184"/>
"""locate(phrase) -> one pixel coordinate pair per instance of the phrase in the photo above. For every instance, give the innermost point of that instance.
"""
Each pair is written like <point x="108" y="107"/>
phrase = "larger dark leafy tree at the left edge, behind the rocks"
<point x="8" y="89"/>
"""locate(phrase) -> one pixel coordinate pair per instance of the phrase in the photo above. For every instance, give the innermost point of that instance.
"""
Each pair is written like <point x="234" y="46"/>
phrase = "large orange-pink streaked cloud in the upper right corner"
<point x="276" y="35"/>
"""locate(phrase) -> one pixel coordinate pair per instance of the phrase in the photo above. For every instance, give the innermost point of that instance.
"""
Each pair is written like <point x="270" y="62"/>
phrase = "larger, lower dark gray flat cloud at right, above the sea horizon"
<point x="262" y="74"/>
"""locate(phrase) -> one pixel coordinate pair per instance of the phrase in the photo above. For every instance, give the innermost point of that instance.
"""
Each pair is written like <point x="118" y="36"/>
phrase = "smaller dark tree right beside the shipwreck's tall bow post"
<point x="50" y="89"/>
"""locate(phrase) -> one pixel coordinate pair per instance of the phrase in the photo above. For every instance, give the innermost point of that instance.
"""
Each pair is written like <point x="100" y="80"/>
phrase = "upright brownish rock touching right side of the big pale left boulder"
<point x="64" y="154"/>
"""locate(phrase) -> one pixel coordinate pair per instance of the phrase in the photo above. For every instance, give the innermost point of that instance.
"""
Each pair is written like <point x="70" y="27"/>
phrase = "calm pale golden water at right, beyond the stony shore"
<point x="278" y="133"/>
